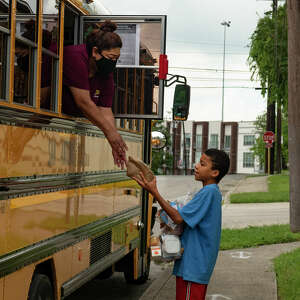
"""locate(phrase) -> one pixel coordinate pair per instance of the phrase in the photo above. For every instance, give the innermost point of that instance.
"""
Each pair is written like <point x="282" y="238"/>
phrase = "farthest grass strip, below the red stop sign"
<point x="278" y="186"/>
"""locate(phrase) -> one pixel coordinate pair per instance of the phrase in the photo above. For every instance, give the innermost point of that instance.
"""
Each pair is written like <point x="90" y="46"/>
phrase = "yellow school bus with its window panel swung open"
<point x="67" y="213"/>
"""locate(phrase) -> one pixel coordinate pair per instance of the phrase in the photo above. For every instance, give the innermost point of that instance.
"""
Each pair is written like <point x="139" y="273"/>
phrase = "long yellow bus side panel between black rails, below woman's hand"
<point x="35" y="218"/>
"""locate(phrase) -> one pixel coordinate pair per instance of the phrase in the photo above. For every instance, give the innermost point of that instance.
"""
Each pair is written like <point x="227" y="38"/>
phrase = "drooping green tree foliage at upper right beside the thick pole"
<point x="262" y="60"/>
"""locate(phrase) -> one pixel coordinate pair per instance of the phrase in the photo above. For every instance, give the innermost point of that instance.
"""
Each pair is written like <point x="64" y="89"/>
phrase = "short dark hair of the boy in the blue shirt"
<point x="220" y="161"/>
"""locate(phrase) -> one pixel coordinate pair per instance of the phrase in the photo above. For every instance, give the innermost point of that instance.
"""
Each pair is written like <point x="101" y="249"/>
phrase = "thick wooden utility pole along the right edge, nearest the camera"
<point x="293" y="11"/>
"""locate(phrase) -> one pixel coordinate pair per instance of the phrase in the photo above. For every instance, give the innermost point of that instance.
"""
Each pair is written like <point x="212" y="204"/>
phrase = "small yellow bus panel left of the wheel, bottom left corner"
<point x="17" y="284"/>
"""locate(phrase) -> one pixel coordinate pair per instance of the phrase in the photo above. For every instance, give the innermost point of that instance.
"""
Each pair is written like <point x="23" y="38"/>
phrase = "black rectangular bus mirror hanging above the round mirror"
<point x="181" y="103"/>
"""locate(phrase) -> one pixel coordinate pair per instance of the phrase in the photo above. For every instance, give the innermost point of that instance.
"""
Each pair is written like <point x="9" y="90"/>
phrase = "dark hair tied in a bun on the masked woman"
<point x="104" y="38"/>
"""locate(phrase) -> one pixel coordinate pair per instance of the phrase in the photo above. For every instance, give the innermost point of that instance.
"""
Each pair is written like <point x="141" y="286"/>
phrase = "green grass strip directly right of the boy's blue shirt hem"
<point x="257" y="236"/>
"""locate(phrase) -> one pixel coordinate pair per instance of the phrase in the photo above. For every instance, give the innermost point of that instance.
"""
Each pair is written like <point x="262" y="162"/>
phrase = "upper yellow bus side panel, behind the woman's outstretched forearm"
<point x="28" y="152"/>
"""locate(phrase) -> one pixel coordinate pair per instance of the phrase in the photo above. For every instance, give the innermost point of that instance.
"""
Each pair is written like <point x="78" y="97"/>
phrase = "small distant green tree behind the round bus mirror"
<point x="160" y="158"/>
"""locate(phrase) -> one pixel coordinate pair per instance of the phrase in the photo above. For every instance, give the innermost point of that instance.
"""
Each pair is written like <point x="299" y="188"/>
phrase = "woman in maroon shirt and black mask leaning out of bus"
<point x="88" y="84"/>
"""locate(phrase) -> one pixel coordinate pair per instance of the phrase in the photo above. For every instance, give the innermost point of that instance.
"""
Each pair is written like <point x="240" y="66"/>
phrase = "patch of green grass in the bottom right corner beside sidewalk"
<point x="288" y="275"/>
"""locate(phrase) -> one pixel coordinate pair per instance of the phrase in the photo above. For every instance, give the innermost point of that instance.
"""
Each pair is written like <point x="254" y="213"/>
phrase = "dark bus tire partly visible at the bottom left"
<point x="40" y="288"/>
